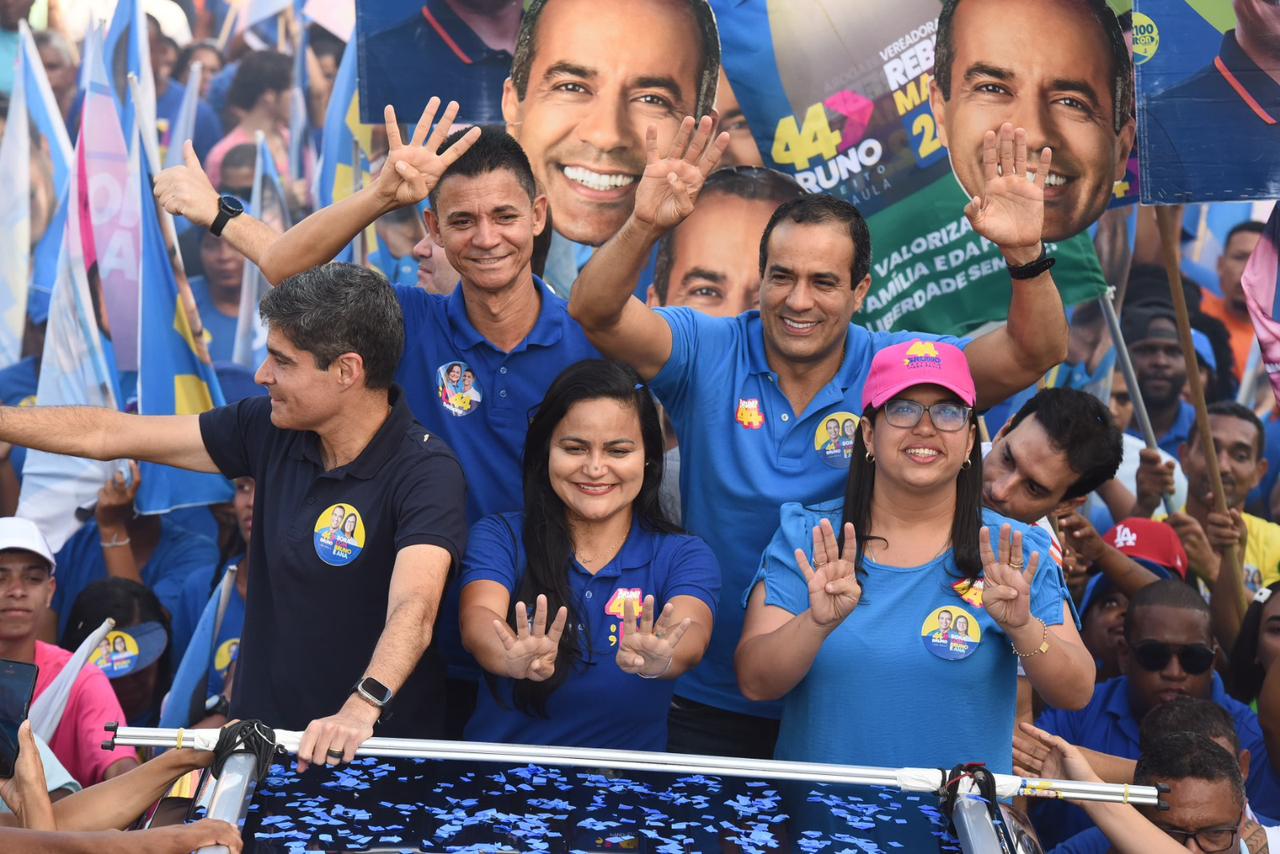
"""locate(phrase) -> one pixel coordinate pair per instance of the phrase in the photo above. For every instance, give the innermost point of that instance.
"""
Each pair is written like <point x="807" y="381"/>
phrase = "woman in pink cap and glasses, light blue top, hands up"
<point x="858" y="633"/>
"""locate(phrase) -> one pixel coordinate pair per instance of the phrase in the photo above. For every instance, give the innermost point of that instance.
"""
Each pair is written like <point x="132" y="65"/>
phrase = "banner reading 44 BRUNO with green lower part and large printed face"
<point x="876" y="103"/>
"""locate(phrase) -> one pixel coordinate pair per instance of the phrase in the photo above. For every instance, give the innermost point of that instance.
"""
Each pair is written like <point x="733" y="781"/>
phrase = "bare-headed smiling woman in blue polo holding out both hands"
<point x="584" y="609"/>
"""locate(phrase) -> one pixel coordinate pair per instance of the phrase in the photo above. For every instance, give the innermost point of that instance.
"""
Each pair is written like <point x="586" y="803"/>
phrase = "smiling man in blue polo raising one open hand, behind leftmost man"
<point x="477" y="362"/>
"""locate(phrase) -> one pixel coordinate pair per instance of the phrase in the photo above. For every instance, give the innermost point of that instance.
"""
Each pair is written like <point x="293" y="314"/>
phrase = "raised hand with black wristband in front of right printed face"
<point x="1009" y="208"/>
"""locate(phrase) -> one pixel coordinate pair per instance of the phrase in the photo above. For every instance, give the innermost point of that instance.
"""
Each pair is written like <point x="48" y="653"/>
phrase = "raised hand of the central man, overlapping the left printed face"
<point x="674" y="179"/>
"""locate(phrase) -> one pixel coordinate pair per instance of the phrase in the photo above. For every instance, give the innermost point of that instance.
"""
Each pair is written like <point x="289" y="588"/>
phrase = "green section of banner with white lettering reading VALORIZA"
<point x="950" y="280"/>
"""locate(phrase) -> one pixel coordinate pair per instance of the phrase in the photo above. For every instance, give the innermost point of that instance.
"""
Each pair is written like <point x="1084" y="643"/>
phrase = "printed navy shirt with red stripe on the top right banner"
<point x="1217" y="134"/>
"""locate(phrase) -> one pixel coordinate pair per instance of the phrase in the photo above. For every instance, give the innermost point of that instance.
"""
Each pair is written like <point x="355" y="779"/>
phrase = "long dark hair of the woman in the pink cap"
<point x="964" y="526"/>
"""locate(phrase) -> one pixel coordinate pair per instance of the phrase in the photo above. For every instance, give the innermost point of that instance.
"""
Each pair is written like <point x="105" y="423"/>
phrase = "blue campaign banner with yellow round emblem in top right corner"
<point x="1208" y="104"/>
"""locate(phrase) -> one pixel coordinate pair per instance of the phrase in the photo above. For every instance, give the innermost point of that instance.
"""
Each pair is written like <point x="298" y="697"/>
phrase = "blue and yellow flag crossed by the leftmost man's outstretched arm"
<point x="172" y="378"/>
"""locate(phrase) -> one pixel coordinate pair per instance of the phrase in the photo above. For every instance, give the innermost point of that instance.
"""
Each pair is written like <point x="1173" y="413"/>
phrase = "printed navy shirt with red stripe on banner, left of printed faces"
<point x="433" y="52"/>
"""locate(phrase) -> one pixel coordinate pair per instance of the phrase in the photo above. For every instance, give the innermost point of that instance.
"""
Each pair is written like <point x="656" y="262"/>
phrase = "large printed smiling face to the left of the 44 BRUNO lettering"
<point x="601" y="75"/>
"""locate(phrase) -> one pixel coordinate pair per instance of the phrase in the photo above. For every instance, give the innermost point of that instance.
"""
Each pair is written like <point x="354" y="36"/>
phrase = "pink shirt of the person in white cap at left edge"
<point x="79" y="741"/>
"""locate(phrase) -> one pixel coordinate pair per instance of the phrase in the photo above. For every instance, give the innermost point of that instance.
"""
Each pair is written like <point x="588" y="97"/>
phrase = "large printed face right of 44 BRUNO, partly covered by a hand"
<point x="1059" y="89"/>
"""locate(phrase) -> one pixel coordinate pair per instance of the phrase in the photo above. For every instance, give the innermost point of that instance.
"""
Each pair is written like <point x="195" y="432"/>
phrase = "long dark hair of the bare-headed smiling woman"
<point x="548" y="545"/>
